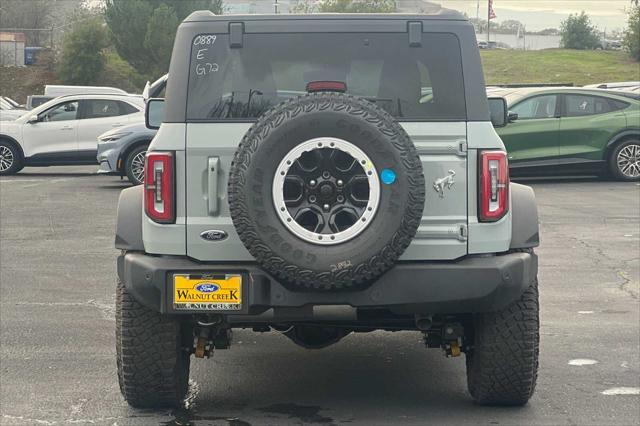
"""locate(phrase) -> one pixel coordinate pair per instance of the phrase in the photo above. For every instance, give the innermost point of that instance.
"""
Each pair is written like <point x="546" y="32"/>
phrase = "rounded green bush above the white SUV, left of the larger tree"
<point x="82" y="60"/>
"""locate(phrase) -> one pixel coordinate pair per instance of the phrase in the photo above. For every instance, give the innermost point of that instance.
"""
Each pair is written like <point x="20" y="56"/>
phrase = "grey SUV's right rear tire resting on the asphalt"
<point x="502" y="367"/>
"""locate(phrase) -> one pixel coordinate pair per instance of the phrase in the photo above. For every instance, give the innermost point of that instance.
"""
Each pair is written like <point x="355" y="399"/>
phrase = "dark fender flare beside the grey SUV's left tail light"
<point x="129" y="220"/>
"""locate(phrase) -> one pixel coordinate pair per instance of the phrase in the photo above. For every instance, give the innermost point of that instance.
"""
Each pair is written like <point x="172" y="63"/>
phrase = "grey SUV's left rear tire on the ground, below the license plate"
<point x="153" y="366"/>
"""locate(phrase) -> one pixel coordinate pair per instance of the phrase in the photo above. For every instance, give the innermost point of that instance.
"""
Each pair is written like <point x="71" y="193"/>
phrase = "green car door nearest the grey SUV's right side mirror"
<point x="532" y="140"/>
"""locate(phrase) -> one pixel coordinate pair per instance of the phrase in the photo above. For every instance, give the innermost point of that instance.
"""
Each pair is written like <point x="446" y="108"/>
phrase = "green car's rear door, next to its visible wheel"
<point x="587" y="123"/>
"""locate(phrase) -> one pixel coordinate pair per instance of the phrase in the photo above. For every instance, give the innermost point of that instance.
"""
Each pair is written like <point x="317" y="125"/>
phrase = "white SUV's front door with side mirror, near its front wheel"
<point x="53" y="138"/>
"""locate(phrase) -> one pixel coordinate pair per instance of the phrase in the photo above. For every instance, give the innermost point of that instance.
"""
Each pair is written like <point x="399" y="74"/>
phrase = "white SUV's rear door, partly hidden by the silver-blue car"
<point x="98" y="116"/>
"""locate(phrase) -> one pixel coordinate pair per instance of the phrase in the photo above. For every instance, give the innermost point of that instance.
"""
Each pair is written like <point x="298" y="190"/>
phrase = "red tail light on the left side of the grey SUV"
<point x="159" y="187"/>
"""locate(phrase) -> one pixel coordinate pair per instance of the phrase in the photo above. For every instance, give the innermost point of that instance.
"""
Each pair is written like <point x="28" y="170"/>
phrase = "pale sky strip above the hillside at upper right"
<point x="541" y="14"/>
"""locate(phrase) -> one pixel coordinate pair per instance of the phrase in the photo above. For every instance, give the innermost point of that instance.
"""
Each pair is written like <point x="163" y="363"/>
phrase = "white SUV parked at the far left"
<point x="64" y="130"/>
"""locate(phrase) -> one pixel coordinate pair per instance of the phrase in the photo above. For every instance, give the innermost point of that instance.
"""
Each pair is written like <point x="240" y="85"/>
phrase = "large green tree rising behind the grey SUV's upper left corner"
<point x="142" y="31"/>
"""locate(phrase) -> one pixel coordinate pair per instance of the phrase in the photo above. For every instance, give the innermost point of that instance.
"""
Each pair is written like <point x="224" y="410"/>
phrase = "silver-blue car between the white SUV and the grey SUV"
<point x="121" y="151"/>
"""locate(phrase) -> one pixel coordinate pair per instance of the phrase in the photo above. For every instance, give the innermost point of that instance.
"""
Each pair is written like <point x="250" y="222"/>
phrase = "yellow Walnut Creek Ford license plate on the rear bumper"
<point x="201" y="292"/>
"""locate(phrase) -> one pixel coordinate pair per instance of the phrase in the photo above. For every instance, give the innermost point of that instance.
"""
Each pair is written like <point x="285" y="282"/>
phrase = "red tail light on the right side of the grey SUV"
<point x="494" y="186"/>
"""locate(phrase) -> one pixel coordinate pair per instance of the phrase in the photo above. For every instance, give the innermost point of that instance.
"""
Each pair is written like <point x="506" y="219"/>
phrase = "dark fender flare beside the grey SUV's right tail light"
<point x="524" y="217"/>
